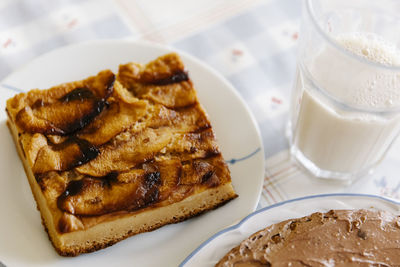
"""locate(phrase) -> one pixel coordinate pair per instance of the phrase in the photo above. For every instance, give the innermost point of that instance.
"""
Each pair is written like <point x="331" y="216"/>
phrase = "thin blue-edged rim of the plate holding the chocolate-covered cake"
<point x="245" y="219"/>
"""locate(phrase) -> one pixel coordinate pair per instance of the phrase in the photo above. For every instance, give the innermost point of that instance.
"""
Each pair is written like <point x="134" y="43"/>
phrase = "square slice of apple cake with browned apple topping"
<point x="116" y="155"/>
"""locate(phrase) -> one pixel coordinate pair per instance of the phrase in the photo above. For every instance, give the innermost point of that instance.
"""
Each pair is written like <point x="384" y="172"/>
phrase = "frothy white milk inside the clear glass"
<point x="331" y="135"/>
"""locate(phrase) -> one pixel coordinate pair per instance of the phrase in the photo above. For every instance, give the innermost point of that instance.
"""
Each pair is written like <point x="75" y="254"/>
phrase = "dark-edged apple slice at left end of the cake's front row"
<point x="97" y="196"/>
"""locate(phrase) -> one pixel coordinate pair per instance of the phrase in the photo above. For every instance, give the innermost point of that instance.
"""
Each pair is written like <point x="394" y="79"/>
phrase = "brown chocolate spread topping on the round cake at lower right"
<point x="336" y="238"/>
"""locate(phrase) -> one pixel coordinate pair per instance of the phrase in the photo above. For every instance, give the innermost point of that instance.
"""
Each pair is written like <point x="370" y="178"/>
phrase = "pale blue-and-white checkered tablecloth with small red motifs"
<point x="252" y="43"/>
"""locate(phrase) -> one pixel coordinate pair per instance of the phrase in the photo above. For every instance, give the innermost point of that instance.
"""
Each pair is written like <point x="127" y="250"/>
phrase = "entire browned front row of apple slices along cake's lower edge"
<point x="137" y="188"/>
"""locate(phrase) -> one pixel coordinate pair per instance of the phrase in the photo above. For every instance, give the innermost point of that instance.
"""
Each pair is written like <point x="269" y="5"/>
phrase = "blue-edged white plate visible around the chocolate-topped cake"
<point x="211" y="251"/>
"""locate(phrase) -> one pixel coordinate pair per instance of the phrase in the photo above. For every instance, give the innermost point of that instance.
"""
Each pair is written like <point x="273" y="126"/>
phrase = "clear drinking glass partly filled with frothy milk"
<point x="345" y="111"/>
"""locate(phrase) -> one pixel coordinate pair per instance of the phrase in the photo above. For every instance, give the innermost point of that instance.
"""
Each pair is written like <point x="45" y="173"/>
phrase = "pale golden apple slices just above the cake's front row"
<point x="130" y="149"/>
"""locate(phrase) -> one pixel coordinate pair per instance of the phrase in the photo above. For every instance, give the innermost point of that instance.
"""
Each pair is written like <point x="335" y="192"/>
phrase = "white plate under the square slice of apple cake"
<point x="22" y="238"/>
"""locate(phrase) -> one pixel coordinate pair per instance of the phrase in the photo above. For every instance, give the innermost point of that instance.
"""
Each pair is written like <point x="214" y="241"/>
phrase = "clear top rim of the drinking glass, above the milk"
<point x="331" y="41"/>
